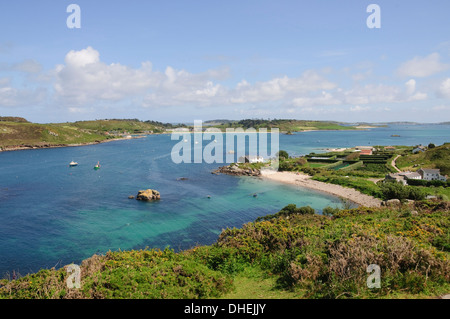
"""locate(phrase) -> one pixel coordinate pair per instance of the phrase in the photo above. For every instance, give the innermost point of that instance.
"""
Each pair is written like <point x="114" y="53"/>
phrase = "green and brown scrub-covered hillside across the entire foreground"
<point x="295" y="253"/>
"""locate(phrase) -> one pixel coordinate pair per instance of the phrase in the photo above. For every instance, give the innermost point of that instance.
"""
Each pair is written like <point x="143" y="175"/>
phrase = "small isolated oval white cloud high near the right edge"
<point x="422" y="66"/>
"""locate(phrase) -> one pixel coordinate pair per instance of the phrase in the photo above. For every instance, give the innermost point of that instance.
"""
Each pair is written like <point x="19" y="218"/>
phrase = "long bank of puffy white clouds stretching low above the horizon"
<point x="85" y="84"/>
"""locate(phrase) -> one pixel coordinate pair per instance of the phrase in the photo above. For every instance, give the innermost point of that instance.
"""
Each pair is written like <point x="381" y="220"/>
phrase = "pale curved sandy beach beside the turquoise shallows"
<point x="303" y="180"/>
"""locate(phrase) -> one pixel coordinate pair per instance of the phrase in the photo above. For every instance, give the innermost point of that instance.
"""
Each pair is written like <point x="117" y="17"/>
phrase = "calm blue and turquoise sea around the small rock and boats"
<point x="52" y="215"/>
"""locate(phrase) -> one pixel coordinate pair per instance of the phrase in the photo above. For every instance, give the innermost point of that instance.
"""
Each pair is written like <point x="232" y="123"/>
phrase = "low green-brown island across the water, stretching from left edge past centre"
<point x="18" y="133"/>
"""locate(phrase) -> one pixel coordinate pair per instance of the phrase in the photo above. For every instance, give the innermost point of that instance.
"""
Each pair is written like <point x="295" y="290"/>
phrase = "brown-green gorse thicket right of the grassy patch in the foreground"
<point x="328" y="258"/>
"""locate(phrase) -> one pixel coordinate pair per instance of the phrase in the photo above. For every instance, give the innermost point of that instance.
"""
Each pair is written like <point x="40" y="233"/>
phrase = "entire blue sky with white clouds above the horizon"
<point x="180" y="61"/>
